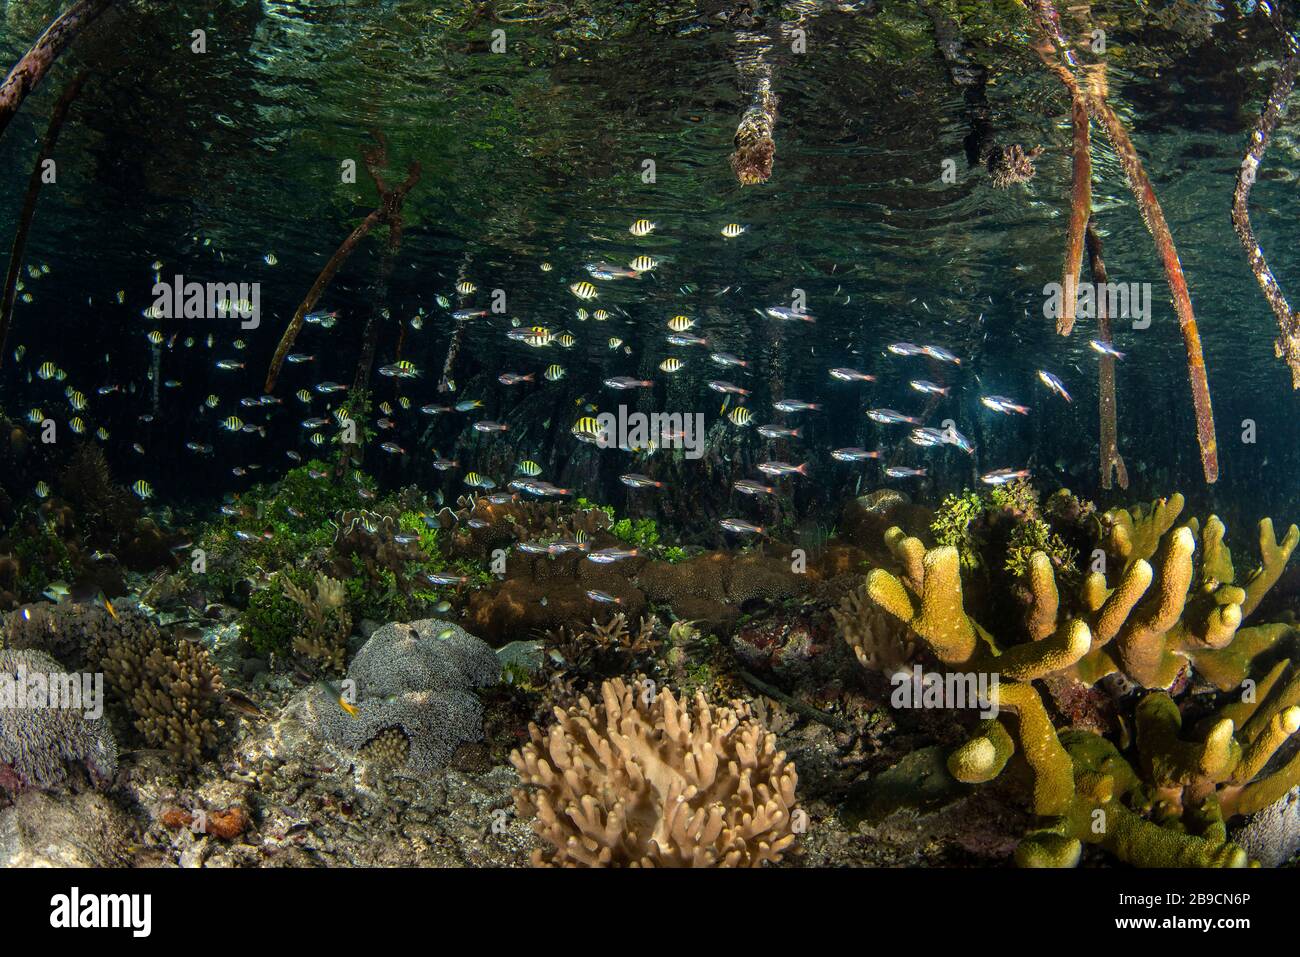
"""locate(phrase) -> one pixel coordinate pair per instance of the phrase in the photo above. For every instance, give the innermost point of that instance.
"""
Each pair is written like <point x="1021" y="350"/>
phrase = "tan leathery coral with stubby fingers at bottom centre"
<point x="644" y="781"/>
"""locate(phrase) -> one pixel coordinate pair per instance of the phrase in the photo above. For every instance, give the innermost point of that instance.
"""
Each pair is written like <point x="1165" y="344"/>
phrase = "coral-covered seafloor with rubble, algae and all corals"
<point x="287" y="685"/>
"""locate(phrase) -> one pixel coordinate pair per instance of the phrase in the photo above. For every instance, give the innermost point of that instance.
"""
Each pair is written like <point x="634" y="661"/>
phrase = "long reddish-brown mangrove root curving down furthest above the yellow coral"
<point x="1095" y="90"/>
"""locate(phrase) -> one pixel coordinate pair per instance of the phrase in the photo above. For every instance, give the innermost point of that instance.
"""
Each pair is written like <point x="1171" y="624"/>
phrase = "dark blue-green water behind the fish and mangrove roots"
<point x="535" y="155"/>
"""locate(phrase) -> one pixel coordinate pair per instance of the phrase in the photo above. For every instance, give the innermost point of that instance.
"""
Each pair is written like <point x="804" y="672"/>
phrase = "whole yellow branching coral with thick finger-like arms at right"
<point x="1152" y="626"/>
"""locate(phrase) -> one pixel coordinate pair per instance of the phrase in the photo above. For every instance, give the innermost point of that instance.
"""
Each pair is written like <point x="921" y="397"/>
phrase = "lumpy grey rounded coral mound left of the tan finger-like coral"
<point x="418" y="679"/>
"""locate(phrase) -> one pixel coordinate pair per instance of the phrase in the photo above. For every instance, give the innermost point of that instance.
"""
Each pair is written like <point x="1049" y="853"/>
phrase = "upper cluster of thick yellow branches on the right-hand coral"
<point x="1150" y="625"/>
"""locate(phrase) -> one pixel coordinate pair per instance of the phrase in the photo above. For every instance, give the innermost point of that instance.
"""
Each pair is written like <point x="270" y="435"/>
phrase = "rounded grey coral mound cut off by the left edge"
<point x="38" y="744"/>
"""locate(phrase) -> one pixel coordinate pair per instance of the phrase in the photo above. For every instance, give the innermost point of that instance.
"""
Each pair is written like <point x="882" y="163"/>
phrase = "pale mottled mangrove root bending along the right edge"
<point x="1288" y="345"/>
